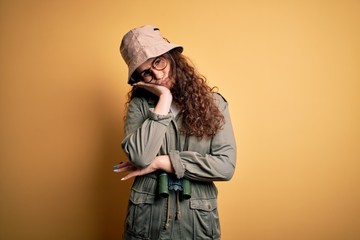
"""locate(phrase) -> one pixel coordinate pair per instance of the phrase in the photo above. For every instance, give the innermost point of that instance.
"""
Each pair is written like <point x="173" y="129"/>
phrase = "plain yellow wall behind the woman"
<point x="290" y="70"/>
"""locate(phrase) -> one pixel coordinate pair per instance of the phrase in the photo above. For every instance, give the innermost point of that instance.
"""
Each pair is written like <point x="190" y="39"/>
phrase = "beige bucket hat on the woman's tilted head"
<point x="140" y="44"/>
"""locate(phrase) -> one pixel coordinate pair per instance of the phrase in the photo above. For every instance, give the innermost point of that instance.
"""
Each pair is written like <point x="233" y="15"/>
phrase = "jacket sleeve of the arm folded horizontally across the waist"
<point x="218" y="164"/>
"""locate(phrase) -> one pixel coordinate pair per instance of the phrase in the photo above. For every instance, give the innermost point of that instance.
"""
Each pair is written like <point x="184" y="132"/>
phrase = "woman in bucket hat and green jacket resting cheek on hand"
<point x="178" y="138"/>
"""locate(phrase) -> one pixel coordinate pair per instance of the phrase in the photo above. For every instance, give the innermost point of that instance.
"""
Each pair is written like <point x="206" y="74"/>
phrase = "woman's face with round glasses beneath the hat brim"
<point x="156" y="71"/>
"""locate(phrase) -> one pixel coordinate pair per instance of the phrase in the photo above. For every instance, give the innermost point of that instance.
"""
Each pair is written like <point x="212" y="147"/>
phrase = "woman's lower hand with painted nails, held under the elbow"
<point x="160" y="162"/>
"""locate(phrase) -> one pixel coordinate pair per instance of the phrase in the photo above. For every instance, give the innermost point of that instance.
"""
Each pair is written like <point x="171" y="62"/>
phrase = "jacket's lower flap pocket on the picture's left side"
<point x="139" y="215"/>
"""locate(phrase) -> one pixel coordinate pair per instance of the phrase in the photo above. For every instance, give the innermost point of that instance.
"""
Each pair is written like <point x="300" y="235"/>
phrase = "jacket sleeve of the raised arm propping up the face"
<point x="144" y="133"/>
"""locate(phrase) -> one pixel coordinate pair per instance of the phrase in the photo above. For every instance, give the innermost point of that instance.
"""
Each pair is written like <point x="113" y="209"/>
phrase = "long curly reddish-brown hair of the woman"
<point x="201" y="116"/>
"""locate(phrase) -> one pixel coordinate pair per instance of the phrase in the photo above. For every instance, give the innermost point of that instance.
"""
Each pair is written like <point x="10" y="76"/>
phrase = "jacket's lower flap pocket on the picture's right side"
<point x="206" y="218"/>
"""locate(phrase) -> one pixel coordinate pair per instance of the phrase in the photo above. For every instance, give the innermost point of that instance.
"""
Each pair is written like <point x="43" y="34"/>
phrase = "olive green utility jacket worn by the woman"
<point x="202" y="161"/>
